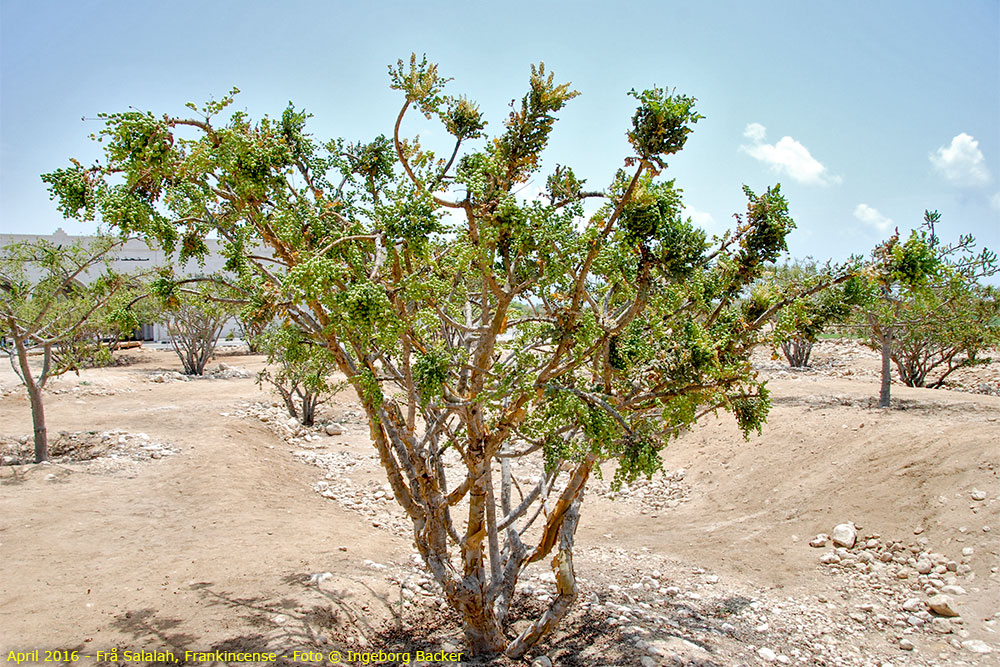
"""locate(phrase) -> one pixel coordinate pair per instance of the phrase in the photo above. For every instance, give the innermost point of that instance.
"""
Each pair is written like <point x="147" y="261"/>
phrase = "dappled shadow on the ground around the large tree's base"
<point x="325" y="617"/>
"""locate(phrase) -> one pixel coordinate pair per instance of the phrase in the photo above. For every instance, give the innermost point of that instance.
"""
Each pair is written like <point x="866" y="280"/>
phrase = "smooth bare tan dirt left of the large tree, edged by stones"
<point x="187" y="551"/>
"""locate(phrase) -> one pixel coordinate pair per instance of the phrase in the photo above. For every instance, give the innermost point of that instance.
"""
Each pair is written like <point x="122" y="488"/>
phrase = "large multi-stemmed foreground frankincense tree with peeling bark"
<point x="502" y="352"/>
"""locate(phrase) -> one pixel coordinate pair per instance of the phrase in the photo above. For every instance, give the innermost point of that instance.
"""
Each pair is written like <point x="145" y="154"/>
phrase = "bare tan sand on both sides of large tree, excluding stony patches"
<point x="213" y="546"/>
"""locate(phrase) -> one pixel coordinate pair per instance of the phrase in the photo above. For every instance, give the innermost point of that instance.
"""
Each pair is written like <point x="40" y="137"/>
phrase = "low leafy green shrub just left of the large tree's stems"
<point x="298" y="368"/>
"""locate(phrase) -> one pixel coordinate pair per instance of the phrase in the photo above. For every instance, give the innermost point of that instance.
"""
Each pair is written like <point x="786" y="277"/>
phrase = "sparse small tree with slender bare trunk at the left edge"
<point x="47" y="306"/>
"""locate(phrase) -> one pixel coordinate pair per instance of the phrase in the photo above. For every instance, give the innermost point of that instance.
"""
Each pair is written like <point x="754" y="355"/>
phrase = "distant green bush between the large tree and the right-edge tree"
<point x="799" y="325"/>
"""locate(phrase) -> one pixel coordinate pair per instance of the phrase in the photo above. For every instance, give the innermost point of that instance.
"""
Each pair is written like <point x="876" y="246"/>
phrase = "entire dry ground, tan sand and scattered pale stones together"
<point x="202" y="520"/>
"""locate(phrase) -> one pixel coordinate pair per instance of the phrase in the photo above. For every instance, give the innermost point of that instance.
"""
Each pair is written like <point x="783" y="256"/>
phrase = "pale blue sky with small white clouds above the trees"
<point x="867" y="113"/>
